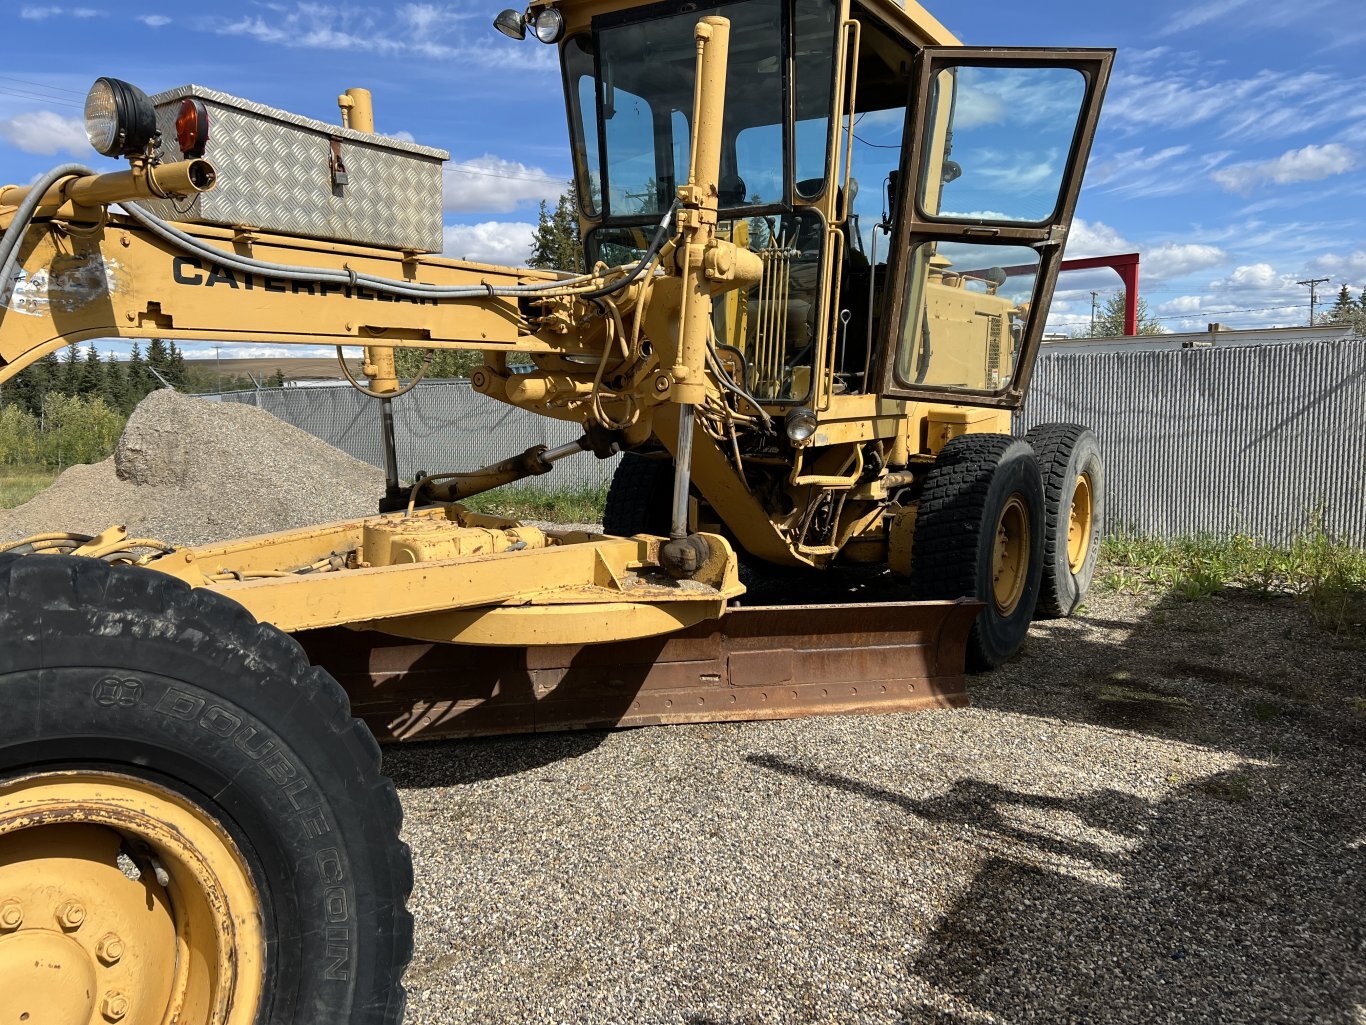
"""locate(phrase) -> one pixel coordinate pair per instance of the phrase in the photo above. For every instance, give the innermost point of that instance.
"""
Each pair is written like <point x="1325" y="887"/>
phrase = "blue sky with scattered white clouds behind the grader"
<point x="1231" y="152"/>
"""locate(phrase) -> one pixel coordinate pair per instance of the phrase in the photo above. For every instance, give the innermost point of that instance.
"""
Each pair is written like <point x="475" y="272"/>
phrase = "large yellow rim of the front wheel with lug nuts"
<point x="122" y="904"/>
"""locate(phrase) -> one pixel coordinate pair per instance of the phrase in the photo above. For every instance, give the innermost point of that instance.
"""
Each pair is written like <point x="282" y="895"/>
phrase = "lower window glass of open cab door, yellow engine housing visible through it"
<point x="965" y="315"/>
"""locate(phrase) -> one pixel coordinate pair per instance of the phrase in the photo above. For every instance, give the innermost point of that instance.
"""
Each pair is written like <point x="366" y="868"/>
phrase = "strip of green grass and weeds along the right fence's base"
<point x="1326" y="573"/>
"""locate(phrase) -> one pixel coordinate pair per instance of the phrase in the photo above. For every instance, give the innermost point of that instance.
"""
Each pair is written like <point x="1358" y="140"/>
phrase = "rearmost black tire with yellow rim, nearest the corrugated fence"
<point x="1074" y="506"/>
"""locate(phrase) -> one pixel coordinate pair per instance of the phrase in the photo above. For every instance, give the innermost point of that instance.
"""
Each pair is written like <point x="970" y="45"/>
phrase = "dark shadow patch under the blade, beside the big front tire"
<point x="475" y="761"/>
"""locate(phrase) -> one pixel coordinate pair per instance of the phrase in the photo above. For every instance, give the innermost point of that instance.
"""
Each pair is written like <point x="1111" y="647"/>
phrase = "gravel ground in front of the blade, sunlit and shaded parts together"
<point x="1156" y="815"/>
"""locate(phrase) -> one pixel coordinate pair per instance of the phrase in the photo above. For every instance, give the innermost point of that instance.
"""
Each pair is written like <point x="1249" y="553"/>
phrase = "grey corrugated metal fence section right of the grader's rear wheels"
<point x="1245" y="439"/>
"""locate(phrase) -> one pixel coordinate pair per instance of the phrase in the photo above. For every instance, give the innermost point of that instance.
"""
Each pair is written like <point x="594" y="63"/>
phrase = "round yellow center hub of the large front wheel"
<point x="46" y="979"/>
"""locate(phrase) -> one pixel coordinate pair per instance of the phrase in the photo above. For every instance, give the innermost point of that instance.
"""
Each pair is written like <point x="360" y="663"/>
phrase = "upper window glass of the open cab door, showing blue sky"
<point x="999" y="141"/>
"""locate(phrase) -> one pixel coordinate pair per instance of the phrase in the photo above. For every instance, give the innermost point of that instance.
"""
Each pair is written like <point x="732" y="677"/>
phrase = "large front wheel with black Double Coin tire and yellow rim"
<point x="176" y="702"/>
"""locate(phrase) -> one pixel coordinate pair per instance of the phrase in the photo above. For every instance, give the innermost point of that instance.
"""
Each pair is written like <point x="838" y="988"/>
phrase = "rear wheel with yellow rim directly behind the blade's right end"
<point x="980" y="534"/>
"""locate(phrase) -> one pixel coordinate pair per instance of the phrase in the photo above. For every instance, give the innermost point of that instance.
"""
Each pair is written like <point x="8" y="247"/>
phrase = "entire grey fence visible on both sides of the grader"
<point x="1238" y="439"/>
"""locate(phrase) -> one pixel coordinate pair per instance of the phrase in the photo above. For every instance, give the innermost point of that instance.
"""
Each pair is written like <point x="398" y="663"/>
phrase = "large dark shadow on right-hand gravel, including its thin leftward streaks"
<point x="1241" y="896"/>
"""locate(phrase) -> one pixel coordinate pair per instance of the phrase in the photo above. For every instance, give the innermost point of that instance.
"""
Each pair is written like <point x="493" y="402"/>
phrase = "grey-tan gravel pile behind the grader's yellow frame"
<point x="189" y="471"/>
